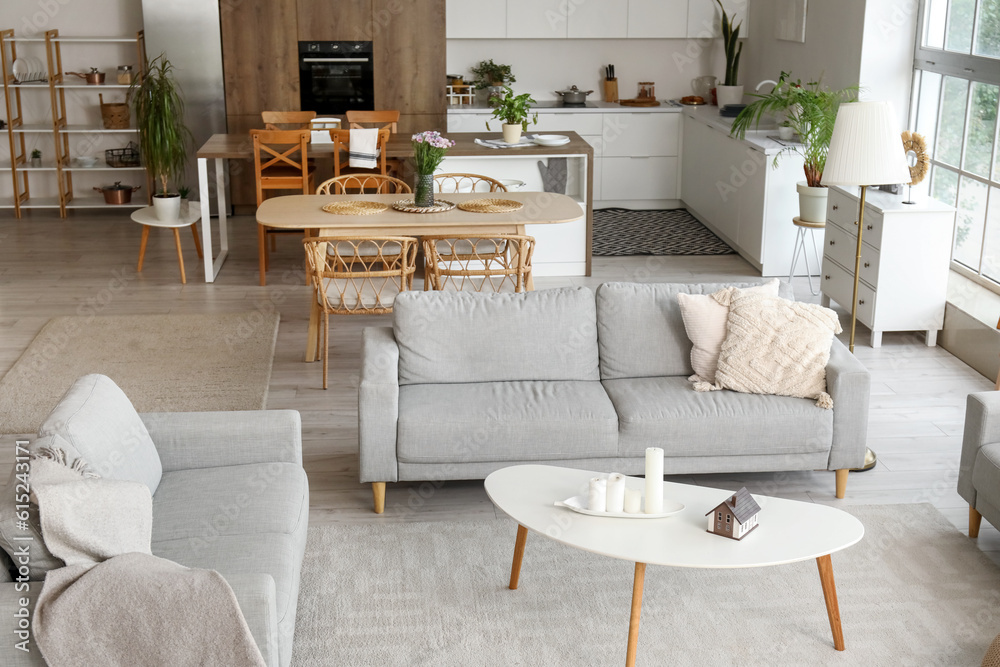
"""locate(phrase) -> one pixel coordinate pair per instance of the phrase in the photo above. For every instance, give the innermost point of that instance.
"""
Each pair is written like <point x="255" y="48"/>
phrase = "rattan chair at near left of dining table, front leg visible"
<point x="356" y="276"/>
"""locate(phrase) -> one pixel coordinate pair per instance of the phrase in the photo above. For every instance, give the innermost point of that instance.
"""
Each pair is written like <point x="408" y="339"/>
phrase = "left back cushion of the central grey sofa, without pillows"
<point x="452" y="337"/>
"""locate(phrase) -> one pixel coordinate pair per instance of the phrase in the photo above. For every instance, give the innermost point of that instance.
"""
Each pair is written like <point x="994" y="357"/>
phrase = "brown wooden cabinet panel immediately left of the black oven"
<point x="260" y="56"/>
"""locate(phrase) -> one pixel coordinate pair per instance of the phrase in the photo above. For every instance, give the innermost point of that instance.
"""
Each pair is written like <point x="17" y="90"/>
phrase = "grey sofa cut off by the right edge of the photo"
<point x="979" y="468"/>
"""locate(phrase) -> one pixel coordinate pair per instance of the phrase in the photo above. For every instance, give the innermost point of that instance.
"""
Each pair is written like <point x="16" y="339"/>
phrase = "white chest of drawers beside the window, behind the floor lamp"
<point x="905" y="260"/>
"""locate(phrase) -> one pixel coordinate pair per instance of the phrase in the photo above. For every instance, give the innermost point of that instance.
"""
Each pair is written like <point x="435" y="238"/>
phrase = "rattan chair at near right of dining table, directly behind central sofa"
<point x="500" y="263"/>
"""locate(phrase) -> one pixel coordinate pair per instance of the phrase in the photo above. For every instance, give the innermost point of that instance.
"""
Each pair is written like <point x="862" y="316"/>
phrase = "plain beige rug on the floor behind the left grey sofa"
<point x="163" y="363"/>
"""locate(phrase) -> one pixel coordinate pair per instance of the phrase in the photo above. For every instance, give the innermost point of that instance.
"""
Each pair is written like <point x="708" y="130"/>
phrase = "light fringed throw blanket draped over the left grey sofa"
<point x="115" y="603"/>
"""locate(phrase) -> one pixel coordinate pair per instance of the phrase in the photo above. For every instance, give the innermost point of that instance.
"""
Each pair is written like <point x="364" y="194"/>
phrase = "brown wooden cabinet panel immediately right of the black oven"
<point x="410" y="57"/>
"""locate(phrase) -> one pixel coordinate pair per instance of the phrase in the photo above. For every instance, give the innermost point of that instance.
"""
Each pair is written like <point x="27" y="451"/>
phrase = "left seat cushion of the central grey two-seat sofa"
<point x="505" y="421"/>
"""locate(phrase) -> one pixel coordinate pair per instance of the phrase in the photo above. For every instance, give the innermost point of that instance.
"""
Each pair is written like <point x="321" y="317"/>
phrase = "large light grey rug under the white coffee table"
<point x="914" y="591"/>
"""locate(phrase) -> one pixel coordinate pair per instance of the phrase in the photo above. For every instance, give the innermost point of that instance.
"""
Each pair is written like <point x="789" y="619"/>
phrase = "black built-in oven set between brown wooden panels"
<point x="335" y="77"/>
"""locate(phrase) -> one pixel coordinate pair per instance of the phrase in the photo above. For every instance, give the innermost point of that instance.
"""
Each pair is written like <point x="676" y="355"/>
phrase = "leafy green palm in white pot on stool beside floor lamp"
<point x="811" y="111"/>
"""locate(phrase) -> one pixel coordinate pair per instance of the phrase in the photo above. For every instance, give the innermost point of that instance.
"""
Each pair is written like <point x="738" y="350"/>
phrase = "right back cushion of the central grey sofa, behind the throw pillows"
<point x="640" y="329"/>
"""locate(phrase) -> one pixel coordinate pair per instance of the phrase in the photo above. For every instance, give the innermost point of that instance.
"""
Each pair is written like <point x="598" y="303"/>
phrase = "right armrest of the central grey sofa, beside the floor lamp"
<point x="849" y="384"/>
